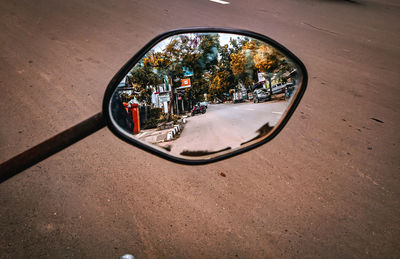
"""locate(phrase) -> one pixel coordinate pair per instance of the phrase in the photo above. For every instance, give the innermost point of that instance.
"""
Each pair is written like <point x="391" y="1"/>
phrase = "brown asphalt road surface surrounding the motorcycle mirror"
<point x="327" y="186"/>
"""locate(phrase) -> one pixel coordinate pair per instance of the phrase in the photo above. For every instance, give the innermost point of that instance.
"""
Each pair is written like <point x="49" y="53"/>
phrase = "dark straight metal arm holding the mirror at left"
<point x="50" y="146"/>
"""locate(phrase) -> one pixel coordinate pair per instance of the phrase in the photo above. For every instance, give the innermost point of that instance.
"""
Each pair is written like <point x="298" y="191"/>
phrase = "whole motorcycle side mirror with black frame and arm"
<point x="192" y="96"/>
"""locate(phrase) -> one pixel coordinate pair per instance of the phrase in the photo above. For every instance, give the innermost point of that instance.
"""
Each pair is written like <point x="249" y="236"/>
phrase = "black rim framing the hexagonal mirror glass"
<point x="136" y="58"/>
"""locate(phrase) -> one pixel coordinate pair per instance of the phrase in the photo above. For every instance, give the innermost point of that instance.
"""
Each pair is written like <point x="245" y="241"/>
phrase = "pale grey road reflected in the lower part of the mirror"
<point x="226" y="126"/>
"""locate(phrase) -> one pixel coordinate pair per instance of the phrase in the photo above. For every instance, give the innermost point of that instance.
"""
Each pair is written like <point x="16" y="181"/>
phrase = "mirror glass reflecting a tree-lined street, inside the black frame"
<point x="198" y="95"/>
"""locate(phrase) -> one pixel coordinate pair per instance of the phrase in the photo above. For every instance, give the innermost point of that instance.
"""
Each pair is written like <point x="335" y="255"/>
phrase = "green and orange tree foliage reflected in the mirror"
<point x="215" y="69"/>
